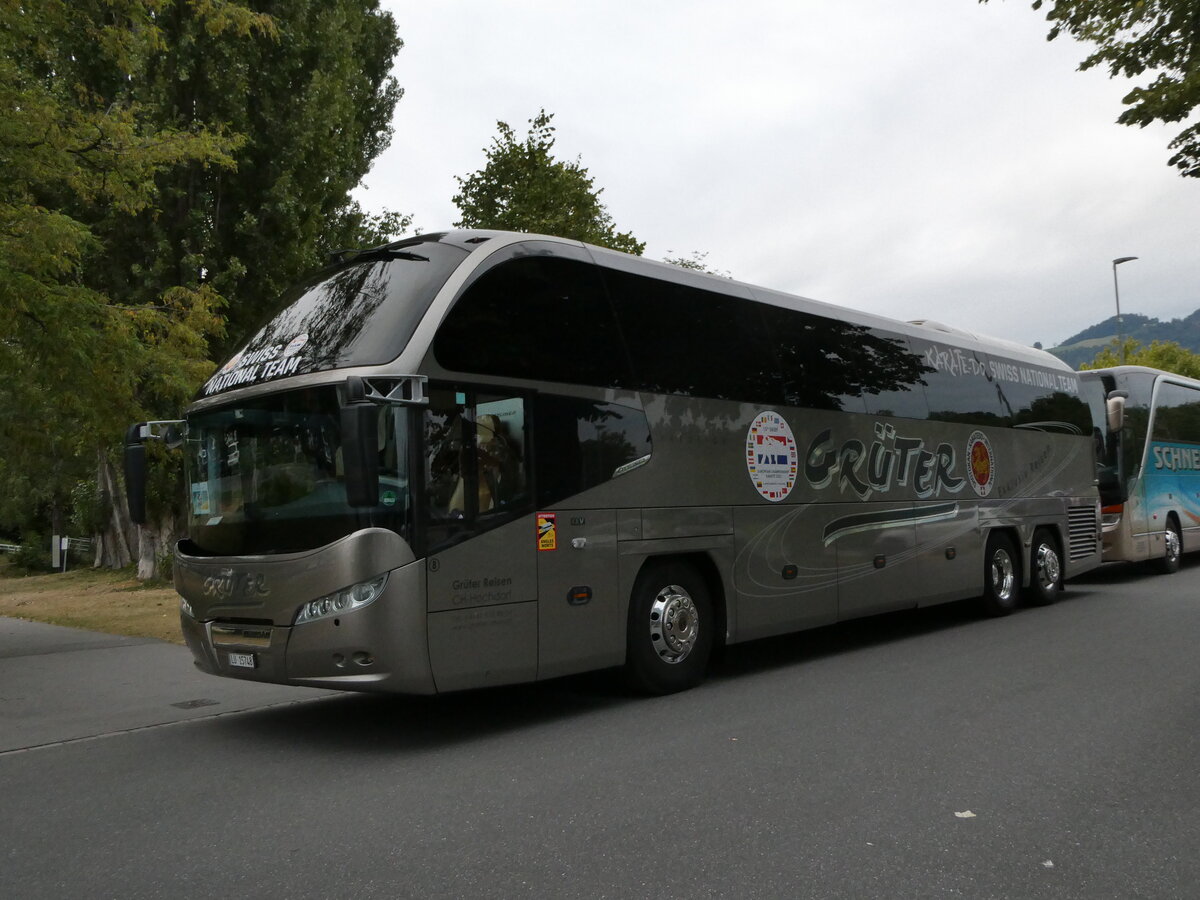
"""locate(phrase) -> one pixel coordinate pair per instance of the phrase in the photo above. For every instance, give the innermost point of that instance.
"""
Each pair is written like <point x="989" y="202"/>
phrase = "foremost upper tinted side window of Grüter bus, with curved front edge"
<point x="536" y="317"/>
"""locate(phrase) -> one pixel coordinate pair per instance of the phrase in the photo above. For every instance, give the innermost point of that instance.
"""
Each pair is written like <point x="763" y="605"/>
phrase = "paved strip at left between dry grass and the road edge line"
<point x="61" y="685"/>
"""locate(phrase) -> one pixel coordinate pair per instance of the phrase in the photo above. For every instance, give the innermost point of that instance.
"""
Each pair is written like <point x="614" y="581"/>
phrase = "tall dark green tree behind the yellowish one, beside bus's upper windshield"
<point x="313" y="100"/>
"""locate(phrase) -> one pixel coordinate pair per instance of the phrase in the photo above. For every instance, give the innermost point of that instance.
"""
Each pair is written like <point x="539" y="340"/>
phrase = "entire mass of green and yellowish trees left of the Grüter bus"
<point x="166" y="167"/>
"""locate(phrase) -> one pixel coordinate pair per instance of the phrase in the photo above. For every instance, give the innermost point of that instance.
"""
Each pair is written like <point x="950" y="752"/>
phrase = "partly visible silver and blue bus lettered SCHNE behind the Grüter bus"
<point x="1148" y="435"/>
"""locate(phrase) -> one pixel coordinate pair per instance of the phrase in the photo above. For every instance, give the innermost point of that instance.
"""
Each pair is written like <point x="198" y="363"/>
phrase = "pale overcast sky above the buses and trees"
<point x="926" y="159"/>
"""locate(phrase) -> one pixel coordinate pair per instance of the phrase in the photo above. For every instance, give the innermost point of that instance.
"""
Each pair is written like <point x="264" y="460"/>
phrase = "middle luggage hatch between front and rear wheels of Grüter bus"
<point x="878" y="565"/>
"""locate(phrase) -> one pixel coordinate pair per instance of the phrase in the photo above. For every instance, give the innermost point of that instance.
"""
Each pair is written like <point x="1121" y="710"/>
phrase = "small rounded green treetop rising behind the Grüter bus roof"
<point x="523" y="188"/>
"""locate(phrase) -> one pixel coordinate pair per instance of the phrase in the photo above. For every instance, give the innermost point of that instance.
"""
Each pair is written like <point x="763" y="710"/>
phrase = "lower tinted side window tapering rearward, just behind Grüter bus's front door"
<point x="584" y="443"/>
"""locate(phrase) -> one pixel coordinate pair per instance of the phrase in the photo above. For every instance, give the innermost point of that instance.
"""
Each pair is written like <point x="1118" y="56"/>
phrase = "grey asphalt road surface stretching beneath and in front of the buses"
<point x="1051" y="754"/>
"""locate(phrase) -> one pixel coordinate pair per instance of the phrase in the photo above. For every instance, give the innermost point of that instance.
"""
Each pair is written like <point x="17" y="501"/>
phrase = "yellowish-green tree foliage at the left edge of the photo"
<point x="74" y="359"/>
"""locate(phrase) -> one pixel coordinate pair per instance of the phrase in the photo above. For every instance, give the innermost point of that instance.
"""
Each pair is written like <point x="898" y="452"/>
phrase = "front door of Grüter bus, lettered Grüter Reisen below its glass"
<point x="477" y="512"/>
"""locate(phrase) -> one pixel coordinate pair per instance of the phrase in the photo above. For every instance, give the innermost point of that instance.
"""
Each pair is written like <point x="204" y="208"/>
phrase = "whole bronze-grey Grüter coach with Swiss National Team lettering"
<point x="476" y="459"/>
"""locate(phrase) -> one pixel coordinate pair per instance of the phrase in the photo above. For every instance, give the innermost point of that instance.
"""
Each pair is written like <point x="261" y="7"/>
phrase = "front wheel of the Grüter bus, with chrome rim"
<point x="671" y="629"/>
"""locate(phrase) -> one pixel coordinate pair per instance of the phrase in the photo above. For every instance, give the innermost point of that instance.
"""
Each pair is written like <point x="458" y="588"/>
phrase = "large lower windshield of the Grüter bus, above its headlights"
<point x="267" y="476"/>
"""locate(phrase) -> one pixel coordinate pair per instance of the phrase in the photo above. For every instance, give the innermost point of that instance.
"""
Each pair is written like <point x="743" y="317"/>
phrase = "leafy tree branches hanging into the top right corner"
<point x="1137" y="38"/>
